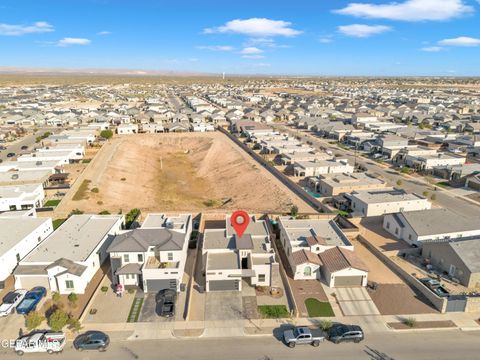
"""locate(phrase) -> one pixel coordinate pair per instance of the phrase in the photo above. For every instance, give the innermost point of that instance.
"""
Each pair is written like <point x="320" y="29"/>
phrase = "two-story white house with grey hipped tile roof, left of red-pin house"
<point x="153" y="256"/>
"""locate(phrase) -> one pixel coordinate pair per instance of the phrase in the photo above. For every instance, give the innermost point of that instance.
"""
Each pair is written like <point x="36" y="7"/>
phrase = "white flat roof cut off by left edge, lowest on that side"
<point x="15" y="229"/>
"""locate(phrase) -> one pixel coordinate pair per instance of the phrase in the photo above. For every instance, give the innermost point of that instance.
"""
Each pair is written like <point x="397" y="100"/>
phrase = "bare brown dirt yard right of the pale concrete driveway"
<point x="398" y="299"/>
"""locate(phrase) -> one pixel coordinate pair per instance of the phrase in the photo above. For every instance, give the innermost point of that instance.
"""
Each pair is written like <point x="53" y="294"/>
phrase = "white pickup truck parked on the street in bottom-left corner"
<point x="41" y="341"/>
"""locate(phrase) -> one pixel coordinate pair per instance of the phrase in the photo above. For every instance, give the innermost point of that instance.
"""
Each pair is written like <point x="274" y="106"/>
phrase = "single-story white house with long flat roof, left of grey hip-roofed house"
<point x="68" y="259"/>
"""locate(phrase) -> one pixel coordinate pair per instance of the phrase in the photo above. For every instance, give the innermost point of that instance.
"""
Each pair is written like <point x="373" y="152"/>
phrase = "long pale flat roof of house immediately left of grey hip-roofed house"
<point x="74" y="240"/>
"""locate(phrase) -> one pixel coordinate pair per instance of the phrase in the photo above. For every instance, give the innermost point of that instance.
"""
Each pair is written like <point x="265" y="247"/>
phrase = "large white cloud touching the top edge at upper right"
<point x="409" y="10"/>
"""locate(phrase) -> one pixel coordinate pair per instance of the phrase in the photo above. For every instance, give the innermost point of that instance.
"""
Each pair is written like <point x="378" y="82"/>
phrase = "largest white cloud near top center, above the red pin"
<point x="256" y="27"/>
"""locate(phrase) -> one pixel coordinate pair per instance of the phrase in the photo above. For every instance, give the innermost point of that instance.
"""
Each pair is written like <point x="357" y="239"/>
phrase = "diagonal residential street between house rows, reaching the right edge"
<point x="417" y="185"/>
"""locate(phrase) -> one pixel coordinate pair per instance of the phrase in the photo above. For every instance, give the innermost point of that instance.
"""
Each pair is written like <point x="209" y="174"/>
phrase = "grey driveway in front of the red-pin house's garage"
<point x="223" y="305"/>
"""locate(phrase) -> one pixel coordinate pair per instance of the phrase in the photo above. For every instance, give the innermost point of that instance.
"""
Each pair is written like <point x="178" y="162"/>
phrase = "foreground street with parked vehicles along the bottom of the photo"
<point x="435" y="345"/>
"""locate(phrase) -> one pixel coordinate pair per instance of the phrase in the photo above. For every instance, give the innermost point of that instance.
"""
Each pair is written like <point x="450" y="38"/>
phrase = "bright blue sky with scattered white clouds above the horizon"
<point x="302" y="37"/>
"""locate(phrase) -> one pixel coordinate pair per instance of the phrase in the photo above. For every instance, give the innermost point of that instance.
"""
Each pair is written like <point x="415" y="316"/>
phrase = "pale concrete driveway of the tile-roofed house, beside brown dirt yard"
<point x="355" y="301"/>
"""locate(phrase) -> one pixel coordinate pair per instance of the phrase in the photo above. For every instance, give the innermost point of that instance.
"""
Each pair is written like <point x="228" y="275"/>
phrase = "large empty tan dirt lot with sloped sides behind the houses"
<point x="178" y="172"/>
